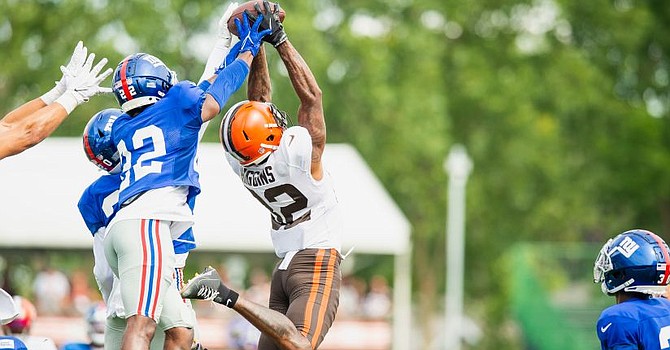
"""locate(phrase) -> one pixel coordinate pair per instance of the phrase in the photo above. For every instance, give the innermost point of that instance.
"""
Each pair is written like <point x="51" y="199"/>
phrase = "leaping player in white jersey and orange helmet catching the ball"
<point x="282" y="168"/>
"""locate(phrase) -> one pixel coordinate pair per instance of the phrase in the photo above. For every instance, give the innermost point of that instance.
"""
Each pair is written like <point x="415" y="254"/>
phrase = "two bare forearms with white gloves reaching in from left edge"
<point x="33" y="121"/>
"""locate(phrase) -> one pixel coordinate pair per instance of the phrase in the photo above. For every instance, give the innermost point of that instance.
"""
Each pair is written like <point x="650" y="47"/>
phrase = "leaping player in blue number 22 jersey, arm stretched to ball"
<point x="157" y="138"/>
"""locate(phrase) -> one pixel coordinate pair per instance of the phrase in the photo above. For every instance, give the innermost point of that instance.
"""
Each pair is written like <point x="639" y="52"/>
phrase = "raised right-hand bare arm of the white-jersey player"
<point x="310" y="111"/>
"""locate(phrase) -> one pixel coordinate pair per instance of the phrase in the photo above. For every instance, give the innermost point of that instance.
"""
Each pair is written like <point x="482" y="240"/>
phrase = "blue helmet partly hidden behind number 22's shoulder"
<point x="98" y="144"/>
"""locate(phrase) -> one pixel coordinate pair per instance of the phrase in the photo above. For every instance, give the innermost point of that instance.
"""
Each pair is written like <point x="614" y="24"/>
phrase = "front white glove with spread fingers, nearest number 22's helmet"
<point x="82" y="82"/>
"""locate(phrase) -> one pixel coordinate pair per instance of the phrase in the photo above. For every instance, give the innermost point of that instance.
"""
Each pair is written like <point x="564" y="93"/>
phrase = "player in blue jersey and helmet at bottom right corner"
<point x="634" y="268"/>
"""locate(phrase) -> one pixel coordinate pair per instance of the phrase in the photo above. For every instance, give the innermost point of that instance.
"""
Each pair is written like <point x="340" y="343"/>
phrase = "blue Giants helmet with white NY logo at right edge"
<point x="634" y="261"/>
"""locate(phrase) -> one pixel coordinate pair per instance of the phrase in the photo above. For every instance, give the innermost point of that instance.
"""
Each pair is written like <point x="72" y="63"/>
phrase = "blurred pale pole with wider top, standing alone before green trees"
<point x="458" y="166"/>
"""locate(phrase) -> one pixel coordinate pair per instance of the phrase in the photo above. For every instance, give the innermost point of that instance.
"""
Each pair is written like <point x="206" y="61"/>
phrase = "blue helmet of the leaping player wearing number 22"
<point x="140" y="80"/>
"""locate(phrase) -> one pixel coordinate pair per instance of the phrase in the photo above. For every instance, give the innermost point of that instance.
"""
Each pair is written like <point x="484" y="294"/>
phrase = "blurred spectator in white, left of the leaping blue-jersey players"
<point x="51" y="289"/>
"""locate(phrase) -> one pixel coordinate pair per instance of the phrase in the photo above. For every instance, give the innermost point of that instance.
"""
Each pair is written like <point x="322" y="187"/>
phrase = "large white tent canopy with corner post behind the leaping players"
<point x="40" y="189"/>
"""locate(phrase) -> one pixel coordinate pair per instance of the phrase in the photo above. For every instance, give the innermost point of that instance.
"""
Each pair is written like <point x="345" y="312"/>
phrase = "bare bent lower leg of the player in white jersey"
<point x="273" y="324"/>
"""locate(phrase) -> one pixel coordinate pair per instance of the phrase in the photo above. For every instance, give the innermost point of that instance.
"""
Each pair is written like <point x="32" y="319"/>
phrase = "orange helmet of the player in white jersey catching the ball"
<point x="251" y="131"/>
